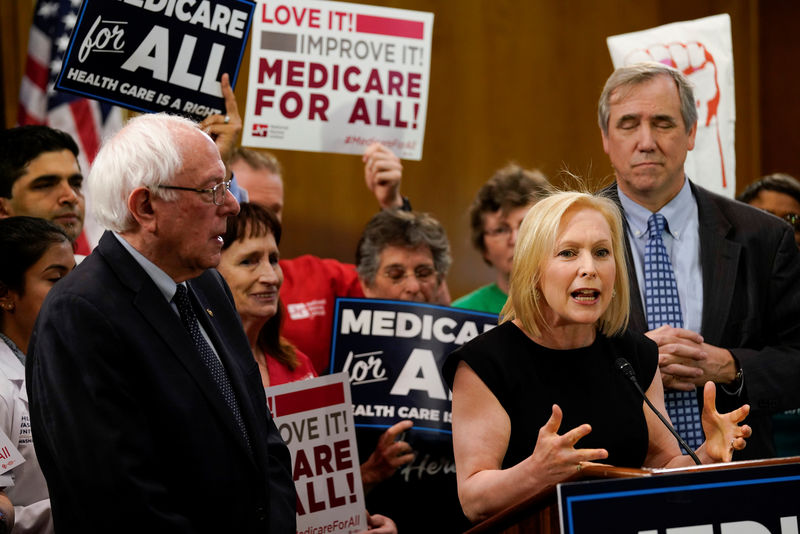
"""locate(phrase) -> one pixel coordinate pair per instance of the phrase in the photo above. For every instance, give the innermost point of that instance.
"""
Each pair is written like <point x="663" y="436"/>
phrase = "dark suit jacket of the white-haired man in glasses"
<point x="130" y="430"/>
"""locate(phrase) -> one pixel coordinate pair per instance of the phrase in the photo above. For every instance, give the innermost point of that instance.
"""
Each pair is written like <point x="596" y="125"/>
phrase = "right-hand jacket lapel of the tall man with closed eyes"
<point x="720" y="264"/>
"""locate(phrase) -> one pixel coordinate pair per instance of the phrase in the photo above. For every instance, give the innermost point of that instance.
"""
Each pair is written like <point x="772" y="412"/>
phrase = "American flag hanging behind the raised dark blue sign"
<point x="88" y="121"/>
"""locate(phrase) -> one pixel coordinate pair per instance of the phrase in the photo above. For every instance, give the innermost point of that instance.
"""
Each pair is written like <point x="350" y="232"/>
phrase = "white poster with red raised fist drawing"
<point x="703" y="50"/>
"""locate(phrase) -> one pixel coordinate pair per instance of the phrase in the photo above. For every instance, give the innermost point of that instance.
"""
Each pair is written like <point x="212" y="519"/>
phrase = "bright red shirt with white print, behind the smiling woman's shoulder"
<point x="309" y="291"/>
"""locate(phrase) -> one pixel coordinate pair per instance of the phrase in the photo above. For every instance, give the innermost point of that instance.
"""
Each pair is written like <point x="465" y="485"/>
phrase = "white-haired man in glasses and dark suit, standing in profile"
<point x="147" y="408"/>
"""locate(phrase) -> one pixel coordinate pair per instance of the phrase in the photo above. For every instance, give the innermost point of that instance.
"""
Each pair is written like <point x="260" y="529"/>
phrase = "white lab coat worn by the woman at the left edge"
<point x="29" y="493"/>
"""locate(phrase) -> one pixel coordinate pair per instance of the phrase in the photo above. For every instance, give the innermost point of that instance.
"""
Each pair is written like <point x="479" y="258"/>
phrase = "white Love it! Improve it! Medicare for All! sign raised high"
<point x="335" y="77"/>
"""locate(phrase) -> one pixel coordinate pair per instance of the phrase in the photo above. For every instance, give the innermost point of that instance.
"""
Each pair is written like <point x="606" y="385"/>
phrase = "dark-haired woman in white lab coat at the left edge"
<point x="36" y="254"/>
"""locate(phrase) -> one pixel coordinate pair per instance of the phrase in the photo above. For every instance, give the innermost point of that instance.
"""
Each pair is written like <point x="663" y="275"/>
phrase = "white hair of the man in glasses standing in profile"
<point x="147" y="153"/>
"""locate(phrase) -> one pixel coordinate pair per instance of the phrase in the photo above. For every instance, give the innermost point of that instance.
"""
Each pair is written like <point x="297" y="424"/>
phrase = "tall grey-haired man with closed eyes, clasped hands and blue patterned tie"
<point x="731" y="273"/>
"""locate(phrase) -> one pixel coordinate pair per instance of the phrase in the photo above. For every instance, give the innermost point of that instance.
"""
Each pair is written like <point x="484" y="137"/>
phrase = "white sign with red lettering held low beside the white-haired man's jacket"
<point x="315" y="420"/>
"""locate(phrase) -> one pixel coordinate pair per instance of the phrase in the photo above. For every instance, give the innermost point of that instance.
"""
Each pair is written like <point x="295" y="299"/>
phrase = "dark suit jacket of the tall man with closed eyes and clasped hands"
<point x="751" y="306"/>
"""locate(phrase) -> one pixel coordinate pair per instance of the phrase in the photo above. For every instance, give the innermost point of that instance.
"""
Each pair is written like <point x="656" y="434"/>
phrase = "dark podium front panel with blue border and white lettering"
<point x="748" y="500"/>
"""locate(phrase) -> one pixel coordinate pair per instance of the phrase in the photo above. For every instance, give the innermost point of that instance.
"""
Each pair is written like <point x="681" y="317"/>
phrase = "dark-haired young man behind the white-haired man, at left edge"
<point x="40" y="177"/>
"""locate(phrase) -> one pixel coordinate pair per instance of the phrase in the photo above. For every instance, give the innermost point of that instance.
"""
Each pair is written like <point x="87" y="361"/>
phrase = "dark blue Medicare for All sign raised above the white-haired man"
<point x="157" y="55"/>
